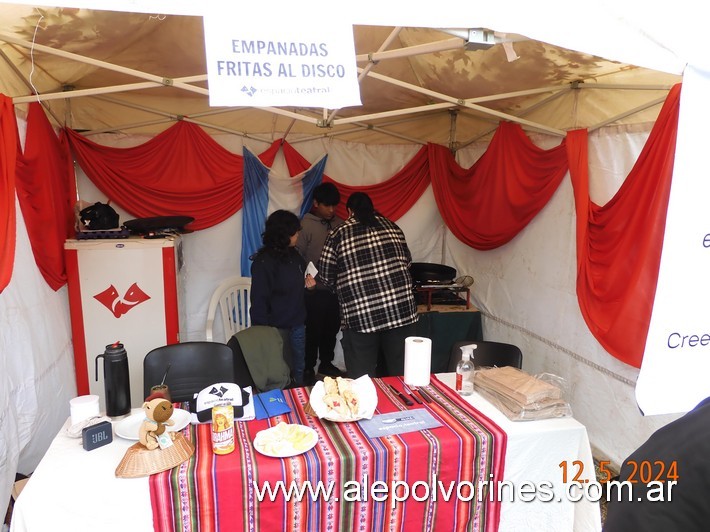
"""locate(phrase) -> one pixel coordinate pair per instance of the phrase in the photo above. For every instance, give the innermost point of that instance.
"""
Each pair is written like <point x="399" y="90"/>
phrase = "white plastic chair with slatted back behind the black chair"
<point x="233" y="299"/>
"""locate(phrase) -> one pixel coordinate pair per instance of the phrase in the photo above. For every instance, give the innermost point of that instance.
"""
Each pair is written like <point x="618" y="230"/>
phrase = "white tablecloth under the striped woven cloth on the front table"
<point x="74" y="489"/>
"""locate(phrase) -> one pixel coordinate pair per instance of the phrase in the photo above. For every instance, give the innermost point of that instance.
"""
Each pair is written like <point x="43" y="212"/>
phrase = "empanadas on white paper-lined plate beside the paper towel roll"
<point x="344" y="400"/>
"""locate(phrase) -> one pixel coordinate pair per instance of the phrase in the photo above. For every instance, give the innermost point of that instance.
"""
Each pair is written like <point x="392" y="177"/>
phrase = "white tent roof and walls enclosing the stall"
<point x="123" y="77"/>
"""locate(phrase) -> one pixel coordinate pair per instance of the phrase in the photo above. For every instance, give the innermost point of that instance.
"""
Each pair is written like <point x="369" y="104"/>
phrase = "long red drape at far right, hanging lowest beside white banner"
<point x="619" y="245"/>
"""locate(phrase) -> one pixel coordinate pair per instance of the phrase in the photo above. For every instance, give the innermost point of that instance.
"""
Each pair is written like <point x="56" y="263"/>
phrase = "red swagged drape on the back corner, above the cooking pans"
<point x="491" y="202"/>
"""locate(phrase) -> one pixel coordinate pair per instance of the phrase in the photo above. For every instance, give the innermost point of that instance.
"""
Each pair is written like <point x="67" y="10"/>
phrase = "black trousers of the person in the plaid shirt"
<point x="362" y="350"/>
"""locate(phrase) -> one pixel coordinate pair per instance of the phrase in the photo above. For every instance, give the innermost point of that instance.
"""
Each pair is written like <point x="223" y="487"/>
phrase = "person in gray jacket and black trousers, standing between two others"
<point x="322" y="312"/>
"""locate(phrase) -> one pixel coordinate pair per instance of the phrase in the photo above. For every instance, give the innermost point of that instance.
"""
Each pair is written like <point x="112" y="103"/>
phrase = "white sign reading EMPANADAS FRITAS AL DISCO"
<point x="289" y="59"/>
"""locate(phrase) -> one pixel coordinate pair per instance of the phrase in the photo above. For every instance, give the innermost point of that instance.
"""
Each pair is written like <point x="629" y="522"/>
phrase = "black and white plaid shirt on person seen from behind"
<point x="369" y="269"/>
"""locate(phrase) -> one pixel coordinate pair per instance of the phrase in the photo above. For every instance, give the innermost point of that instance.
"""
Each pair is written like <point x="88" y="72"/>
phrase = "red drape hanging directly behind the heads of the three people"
<point x="392" y="199"/>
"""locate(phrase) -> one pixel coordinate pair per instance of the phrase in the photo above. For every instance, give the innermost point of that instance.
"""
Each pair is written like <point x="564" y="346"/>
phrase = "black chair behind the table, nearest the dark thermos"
<point x="193" y="366"/>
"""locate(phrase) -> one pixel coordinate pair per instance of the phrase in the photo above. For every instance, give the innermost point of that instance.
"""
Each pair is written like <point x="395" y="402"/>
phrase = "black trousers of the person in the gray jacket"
<point x="322" y="326"/>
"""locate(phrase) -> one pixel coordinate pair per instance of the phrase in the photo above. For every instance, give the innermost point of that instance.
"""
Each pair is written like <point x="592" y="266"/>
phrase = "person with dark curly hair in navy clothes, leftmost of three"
<point x="277" y="287"/>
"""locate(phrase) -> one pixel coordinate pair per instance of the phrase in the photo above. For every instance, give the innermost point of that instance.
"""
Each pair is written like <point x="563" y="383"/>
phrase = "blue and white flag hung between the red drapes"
<point x="266" y="192"/>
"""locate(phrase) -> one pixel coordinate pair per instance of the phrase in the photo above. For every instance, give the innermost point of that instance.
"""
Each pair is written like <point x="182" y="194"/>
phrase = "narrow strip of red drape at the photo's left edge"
<point x="8" y="154"/>
